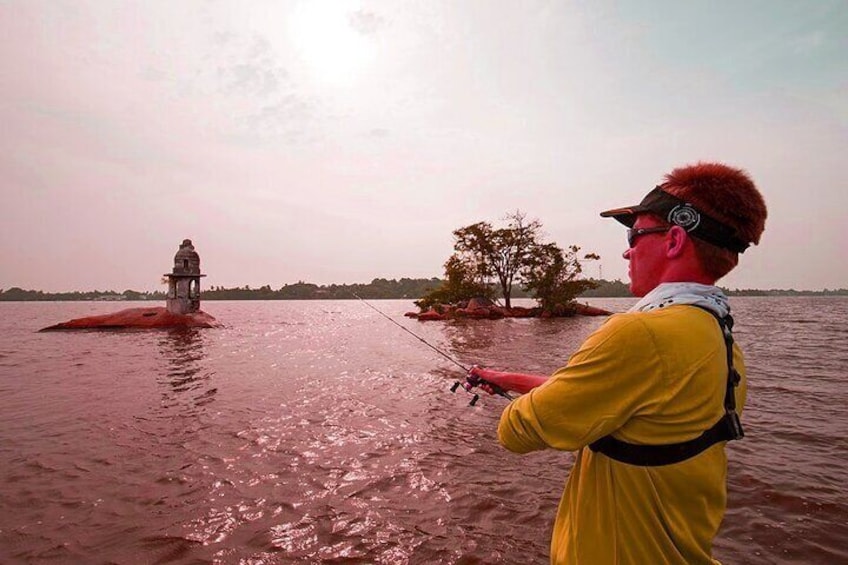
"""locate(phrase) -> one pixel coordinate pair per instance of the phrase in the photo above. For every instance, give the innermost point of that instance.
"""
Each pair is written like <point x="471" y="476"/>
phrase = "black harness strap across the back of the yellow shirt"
<point x="726" y="429"/>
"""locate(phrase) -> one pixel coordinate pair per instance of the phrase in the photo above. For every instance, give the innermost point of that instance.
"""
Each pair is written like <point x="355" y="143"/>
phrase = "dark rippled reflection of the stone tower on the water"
<point x="187" y="378"/>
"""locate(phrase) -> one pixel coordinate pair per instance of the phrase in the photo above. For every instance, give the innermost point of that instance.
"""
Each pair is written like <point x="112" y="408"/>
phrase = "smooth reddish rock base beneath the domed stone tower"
<point x="158" y="317"/>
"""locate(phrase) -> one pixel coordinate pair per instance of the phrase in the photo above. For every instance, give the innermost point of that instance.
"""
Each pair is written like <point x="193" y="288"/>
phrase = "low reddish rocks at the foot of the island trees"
<point x="482" y="308"/>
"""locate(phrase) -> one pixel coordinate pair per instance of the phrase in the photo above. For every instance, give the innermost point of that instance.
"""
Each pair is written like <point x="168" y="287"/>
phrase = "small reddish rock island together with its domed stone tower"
<point x="182" y="305"/>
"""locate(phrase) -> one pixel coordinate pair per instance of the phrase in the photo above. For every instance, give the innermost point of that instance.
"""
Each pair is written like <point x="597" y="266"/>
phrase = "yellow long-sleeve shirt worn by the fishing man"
<point x="653" y="377"/>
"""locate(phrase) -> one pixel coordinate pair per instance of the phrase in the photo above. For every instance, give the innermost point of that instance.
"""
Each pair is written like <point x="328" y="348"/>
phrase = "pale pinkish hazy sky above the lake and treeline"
<point x="342" y="141"/>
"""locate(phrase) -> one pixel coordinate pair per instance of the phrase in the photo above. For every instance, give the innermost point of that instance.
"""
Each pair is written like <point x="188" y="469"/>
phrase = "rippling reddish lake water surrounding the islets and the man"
<point x="319" y="432"/>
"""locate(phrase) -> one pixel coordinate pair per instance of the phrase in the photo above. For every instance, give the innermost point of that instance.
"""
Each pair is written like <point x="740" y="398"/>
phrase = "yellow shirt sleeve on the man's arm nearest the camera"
<point x="615" y="374"/>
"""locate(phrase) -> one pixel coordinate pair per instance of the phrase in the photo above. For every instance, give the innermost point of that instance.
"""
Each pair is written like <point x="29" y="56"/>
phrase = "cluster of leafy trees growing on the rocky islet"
<point x="486" y="258"/>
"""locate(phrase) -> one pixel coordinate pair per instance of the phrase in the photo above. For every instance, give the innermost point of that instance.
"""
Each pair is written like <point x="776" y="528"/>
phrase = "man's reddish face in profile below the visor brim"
<point x="646" y="256"/>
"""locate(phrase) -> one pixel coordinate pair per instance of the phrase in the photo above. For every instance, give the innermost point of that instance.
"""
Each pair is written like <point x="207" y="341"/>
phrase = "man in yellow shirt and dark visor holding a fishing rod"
<point x="650" y="398"/>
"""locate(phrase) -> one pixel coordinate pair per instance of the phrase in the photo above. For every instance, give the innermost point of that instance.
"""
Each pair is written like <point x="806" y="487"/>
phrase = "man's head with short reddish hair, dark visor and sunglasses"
<point x="713" y="208"/>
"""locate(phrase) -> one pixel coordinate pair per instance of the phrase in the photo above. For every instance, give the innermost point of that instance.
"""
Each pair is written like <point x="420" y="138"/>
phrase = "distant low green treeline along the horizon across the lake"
<point x="404" y="288"/>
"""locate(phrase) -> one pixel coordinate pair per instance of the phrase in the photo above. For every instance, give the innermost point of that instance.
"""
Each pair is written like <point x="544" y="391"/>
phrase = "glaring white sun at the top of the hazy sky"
<point x="331" y="49"/>
